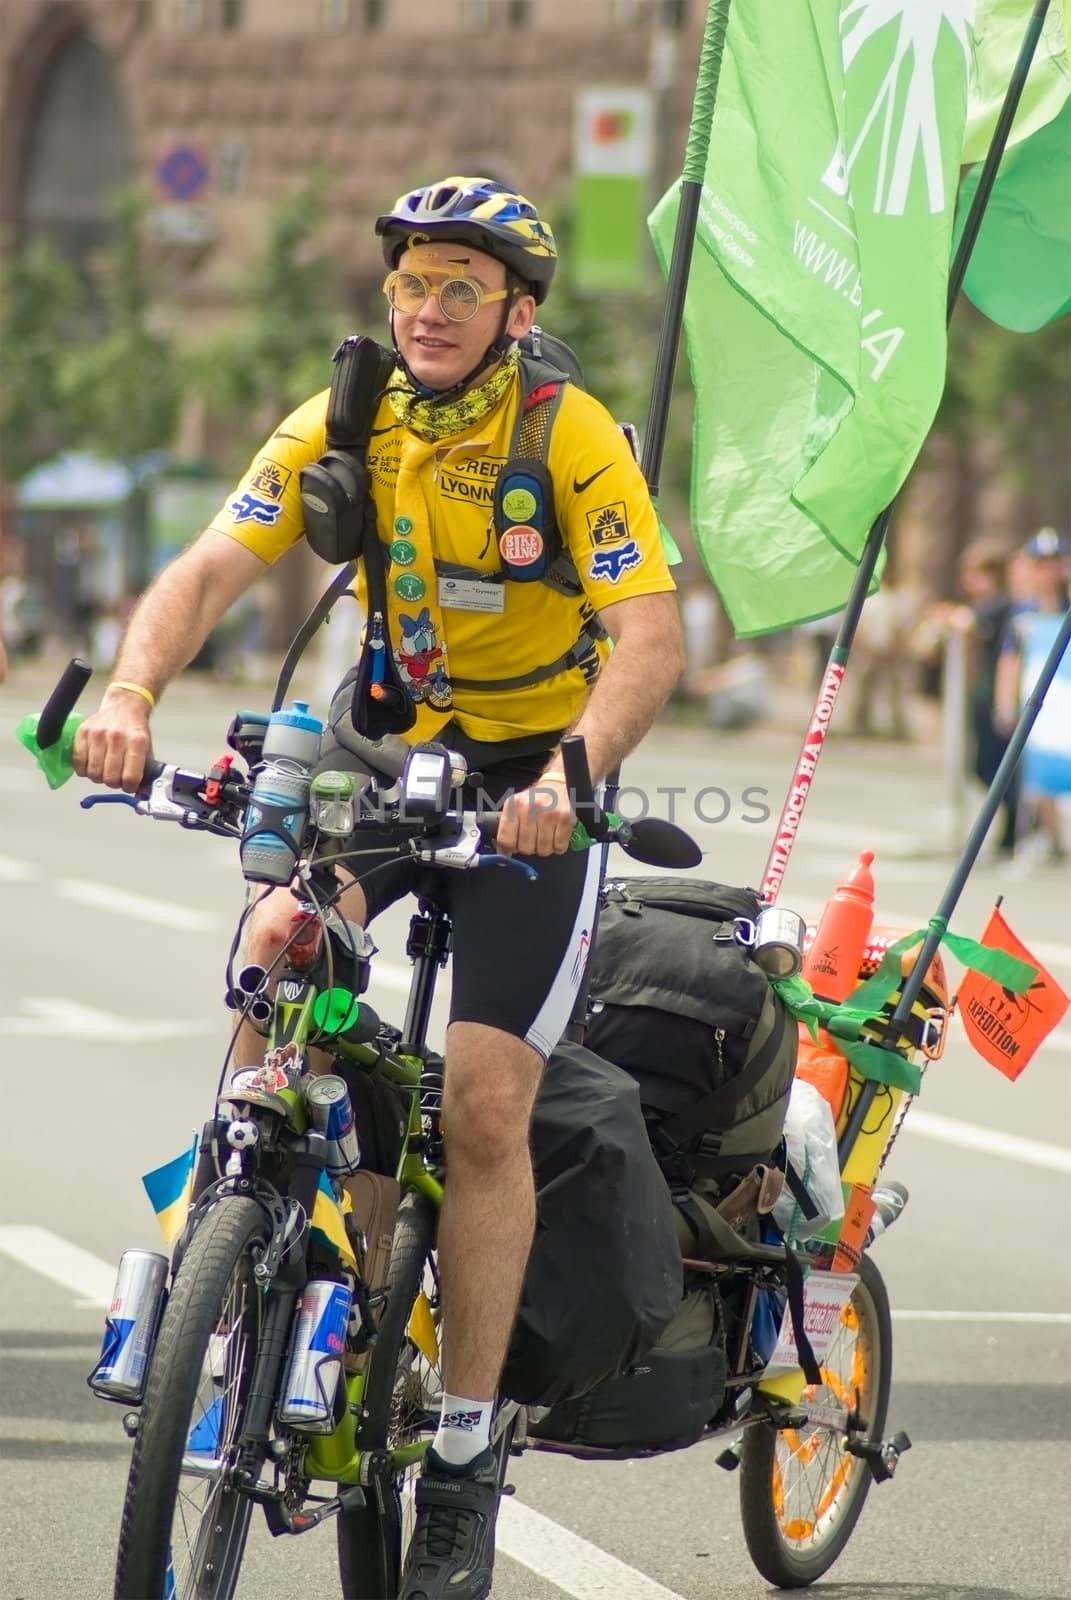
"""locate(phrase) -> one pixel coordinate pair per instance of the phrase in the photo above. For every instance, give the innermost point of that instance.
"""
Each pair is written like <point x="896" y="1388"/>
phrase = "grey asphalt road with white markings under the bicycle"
<point x="111" y="1028"/>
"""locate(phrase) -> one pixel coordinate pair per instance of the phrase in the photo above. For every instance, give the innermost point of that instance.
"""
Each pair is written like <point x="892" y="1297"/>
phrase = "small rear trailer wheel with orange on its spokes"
<point x="793" y="1551"/>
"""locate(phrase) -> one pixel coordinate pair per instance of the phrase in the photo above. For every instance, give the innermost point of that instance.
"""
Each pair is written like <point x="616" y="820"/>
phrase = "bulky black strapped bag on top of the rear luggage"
<point x="678" y="1002"/>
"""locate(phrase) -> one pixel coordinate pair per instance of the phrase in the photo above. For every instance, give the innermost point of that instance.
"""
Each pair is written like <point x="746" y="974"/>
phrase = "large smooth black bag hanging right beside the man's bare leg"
<point x="604" y="1276"/>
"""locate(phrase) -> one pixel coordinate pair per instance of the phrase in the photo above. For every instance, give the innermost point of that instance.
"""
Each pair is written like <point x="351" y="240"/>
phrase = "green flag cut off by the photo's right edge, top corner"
<point x="1021" y="268"/>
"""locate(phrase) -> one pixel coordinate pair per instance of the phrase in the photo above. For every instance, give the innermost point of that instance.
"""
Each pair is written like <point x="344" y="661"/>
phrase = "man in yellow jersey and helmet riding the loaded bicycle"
<point x="468" y="263"/>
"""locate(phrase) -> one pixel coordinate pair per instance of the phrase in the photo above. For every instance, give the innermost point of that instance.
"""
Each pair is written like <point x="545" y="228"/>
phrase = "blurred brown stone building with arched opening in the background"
<point x="220" y="106"/>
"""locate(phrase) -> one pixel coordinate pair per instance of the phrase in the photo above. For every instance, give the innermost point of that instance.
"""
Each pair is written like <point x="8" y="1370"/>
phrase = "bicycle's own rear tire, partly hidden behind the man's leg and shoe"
<point x="371" y="1538"/>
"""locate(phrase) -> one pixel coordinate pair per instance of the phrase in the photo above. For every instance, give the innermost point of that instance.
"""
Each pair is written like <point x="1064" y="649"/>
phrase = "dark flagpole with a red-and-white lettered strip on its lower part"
<point x="833" y="678"/>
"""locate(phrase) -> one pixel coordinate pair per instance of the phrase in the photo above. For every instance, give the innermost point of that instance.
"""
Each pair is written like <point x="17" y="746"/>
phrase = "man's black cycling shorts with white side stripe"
<point x="519" y="948"/>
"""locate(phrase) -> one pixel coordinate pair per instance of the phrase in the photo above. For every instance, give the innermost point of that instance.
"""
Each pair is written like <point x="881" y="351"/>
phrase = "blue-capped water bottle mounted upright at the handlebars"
<point x="279" y="807"/>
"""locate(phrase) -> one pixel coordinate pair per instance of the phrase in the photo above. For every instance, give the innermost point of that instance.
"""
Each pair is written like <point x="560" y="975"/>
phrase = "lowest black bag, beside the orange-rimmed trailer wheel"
<point x="664" y="1402"/>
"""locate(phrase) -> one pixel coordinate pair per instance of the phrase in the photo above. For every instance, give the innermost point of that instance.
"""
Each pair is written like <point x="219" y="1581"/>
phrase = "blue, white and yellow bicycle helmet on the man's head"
<point x="475" y="212"/>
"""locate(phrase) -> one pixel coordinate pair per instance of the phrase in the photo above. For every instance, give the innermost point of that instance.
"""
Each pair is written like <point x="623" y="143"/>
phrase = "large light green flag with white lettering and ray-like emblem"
<point x="816" y="313"/>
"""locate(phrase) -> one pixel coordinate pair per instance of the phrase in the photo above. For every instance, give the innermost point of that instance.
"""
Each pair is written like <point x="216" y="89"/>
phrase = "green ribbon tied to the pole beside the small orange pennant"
<point x="846" y="1022"/>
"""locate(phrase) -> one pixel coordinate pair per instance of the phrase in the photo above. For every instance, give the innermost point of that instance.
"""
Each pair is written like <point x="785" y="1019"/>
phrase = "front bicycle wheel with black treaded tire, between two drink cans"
<point x="219" y="1258"/>
